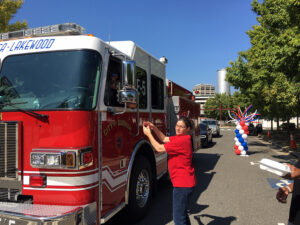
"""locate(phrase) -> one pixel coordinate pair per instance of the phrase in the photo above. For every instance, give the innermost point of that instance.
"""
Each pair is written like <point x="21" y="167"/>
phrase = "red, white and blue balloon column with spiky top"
<point x="241" y="120"/>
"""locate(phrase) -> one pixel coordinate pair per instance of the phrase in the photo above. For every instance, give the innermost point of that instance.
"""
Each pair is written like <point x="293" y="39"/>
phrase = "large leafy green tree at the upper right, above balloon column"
<point x="269" y="72"/>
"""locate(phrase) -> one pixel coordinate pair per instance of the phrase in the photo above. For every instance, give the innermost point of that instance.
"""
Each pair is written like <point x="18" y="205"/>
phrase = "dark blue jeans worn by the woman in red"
<point x="181" y="197"/>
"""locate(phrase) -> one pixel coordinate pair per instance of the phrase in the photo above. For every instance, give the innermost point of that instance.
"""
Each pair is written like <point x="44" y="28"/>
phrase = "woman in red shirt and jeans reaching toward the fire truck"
<point x="182" y="172"/>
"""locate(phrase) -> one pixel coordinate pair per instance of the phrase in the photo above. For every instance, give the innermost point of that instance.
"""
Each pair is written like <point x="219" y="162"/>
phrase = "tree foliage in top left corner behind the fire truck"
<point x="8" y="8"/>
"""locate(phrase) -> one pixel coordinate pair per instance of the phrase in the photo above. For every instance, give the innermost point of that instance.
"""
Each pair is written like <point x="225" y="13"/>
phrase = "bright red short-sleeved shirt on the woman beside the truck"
<point x="180" y="156"/>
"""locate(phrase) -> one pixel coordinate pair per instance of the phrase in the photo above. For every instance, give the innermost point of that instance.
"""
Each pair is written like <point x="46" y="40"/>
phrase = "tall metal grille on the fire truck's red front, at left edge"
<point x="8" y="149"/>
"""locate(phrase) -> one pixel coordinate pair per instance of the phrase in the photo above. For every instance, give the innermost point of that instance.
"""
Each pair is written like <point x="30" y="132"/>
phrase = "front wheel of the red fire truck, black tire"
<point x="140" y="191"/>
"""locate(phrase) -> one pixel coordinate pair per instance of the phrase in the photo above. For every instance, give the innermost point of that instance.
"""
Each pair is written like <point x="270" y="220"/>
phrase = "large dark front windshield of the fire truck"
<point x="50" y="81"/>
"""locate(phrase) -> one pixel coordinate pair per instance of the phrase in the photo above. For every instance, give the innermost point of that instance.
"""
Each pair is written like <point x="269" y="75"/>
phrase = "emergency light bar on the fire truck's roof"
<point x="58" y="29"/>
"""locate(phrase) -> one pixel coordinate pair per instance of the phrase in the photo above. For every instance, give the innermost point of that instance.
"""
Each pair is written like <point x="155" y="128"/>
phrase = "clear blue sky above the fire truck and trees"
<point x="198" y="37"/>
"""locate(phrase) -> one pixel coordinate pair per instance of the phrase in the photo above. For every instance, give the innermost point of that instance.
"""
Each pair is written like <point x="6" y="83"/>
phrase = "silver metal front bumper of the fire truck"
<point x="29" y="214"/>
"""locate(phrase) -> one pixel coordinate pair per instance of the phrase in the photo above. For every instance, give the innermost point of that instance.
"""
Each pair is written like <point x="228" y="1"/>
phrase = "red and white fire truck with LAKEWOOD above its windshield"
<point x="72" y="150"/>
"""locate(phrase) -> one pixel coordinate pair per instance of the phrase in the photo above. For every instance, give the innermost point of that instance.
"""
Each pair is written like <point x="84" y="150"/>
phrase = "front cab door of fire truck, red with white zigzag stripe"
<point x="119" y="131"/>
